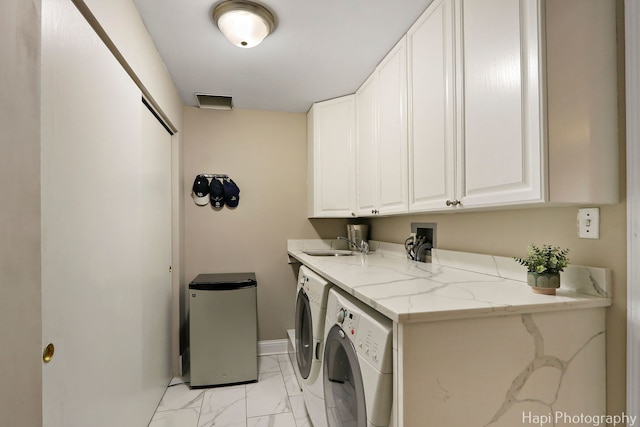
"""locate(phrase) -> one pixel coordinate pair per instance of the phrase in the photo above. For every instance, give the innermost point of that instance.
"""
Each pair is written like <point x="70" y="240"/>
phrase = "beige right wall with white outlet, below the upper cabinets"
<point x="507" y="233"/>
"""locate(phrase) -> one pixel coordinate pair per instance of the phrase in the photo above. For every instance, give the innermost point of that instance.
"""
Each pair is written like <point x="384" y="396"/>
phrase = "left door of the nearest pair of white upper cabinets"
<point x="431" y="109"/>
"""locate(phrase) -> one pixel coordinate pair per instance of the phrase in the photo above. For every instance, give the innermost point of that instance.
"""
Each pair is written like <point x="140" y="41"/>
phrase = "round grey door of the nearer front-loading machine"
<point x="343" y="388"/>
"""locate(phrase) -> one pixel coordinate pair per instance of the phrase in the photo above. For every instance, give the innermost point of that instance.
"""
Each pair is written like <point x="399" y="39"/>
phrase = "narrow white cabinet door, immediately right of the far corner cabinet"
<point x="366" y="151"/>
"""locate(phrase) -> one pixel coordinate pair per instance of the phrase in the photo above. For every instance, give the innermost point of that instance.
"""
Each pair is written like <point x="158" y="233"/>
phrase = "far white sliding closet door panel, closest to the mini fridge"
<point x="155" y="258"/>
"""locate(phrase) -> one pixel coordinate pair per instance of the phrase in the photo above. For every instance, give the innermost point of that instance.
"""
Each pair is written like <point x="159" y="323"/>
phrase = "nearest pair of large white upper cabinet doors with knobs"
<point x="475" y="128"/>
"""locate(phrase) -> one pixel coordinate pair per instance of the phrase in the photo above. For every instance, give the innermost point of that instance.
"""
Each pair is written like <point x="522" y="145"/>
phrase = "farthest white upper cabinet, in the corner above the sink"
<point x="330" y="158"/>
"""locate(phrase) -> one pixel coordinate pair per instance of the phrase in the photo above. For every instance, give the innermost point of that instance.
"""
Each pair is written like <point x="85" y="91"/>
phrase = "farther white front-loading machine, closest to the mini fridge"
<point x="311" y="304"/>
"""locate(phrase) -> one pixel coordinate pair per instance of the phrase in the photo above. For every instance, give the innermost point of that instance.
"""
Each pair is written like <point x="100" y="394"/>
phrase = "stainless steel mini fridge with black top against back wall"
<point x="223" y="333"/>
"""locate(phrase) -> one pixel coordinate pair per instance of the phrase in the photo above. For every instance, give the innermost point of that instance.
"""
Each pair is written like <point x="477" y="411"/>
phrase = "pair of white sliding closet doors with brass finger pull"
<point x="103" y="201"/>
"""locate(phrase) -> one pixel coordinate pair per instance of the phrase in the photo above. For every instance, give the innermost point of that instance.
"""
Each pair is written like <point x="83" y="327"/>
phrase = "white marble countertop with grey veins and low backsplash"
<point x="456" y="285"/>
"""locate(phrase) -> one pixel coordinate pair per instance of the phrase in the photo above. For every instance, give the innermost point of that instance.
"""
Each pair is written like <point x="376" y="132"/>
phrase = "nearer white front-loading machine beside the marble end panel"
<point x="358" y="364"/>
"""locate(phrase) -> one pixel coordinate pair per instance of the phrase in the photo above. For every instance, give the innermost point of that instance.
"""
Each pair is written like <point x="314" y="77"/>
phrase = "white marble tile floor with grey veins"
<point x="274" y="401"/>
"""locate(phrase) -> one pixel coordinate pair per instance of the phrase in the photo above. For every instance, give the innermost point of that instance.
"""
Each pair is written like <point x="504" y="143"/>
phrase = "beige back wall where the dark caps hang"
<point x="265" y="154"/>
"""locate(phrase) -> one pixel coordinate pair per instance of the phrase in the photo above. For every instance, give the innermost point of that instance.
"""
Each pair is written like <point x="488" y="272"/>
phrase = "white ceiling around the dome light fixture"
<point x="320" y="49"/>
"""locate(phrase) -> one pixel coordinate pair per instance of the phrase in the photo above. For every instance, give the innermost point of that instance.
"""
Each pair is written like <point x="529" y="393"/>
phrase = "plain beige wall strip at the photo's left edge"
<point x="20" y="319"/>
